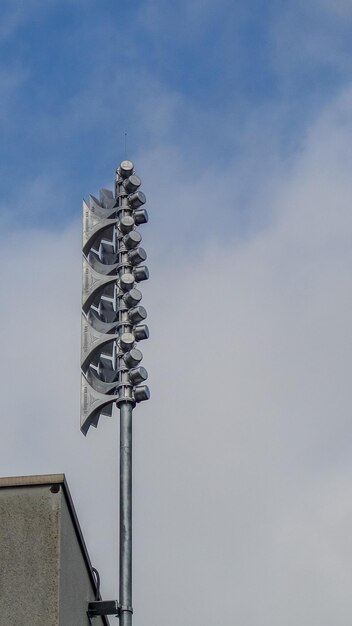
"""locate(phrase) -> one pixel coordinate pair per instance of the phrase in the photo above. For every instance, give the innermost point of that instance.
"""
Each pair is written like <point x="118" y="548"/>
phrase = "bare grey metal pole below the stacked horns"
<point x="125" y="567"/>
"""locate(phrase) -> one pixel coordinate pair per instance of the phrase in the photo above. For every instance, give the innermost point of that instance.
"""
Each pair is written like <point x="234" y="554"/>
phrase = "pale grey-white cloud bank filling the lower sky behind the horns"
<point x="242" y="464"/>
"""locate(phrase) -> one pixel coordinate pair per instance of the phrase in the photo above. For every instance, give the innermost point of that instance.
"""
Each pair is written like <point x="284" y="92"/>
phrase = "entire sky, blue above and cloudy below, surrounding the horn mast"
<point x="239" y="120"/>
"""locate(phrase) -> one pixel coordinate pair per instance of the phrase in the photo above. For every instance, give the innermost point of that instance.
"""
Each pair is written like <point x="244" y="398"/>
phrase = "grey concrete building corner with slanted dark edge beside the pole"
<point x="45" y="577"/>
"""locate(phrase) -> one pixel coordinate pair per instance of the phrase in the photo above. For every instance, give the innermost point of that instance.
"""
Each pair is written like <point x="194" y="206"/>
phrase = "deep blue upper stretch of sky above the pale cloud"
<point x="197" y="76"/>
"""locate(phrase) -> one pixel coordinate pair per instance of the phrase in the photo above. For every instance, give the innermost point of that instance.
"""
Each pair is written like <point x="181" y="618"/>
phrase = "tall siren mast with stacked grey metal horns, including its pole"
<point x="112" y="325"/>
